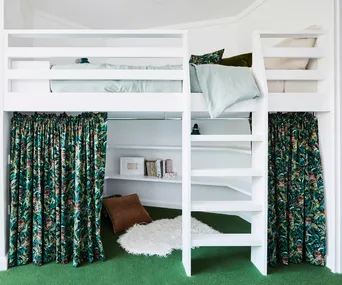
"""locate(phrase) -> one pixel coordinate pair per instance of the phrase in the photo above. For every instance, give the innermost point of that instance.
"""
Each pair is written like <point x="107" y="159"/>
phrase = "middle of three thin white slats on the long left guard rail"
<point x="103" y="52"/>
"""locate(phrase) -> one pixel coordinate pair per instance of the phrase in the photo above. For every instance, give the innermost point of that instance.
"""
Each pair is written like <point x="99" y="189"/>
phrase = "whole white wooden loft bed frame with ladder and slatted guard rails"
<point x="186" y="104"/>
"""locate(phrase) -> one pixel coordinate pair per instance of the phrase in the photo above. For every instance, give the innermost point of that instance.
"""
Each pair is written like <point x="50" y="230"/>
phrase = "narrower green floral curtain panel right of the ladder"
<point x="297" y="229"/>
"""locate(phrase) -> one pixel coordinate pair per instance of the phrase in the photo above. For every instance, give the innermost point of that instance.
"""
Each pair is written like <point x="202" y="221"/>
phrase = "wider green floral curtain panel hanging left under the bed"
<point x="56" y="182"/>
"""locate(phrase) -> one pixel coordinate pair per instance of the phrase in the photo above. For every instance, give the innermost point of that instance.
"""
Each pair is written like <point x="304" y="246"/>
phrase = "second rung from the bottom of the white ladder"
<point x="226" y="206"/>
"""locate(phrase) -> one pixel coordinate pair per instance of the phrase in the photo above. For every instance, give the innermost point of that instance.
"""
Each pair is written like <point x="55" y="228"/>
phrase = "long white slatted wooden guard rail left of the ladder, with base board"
<point x="33" y="100"/>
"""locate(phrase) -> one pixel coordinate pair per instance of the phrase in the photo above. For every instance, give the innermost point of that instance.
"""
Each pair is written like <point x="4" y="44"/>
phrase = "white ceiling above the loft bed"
<point x="138" y="14"/>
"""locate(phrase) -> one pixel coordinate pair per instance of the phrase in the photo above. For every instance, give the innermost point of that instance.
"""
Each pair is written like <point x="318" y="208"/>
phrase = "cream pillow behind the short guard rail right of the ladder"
<point x="292" y="63"/>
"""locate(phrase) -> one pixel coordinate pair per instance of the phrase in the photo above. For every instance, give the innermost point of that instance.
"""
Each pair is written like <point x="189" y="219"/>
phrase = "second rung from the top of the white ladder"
<point x="221" y="172"/>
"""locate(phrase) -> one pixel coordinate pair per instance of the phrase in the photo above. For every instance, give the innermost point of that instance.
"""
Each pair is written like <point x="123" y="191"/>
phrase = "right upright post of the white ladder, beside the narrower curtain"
<point x="260" y="159"/>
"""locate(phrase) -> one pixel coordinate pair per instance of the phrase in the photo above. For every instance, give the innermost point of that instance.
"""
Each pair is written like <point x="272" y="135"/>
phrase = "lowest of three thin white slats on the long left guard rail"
<point x="95" y="74"/>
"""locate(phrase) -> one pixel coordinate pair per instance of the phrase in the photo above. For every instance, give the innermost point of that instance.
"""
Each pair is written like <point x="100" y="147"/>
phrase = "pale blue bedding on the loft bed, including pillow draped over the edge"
<point x="222" y="86"/>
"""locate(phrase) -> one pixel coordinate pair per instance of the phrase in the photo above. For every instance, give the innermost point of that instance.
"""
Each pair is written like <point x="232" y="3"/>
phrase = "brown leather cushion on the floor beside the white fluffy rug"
<point x="125" y="212"/>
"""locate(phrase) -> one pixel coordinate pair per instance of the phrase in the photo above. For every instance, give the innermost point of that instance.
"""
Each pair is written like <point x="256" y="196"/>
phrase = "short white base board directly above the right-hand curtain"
<point x="298" y="102"/>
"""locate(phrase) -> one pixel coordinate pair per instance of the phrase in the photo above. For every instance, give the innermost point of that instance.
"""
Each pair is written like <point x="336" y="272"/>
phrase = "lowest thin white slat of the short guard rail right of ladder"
<point x="295" y="75"/>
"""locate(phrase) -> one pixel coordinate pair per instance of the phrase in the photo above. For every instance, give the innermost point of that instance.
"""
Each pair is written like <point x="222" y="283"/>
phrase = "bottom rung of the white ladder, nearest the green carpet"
<point x="225" y="240"/>
